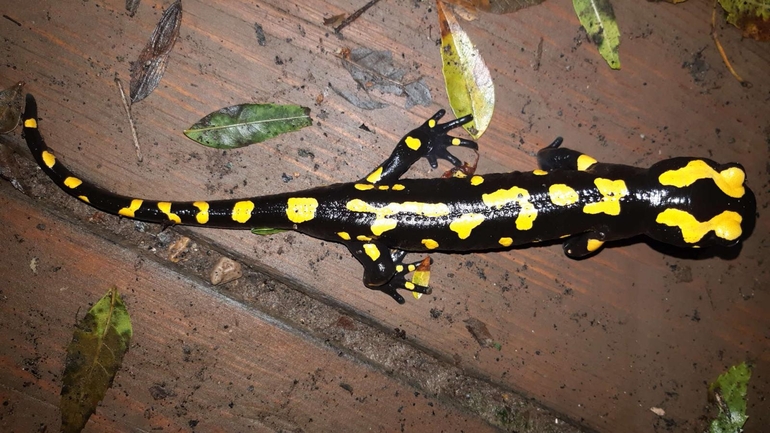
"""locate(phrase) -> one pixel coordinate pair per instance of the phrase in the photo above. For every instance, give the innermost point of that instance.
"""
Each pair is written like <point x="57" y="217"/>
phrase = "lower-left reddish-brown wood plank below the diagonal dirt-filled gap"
<point x="197" y="361"/>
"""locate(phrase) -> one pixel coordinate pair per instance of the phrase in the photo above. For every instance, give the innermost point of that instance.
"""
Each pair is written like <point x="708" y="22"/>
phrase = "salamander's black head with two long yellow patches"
<point x="705" y="204"/>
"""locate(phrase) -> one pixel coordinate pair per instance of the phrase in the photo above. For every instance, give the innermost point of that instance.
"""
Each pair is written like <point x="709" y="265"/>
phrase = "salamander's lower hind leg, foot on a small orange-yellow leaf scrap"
<point x="385" y="271"/>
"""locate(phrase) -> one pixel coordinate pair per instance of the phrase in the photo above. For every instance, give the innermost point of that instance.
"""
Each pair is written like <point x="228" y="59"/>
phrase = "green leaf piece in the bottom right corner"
<point x="729" y="394"/>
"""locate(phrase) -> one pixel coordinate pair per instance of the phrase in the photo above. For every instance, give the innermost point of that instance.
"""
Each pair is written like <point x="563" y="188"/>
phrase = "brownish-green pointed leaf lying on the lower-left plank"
<point x="93" y="357"/>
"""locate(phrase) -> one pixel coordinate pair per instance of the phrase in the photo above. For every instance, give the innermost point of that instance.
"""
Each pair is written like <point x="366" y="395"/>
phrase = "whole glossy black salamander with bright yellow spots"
<point x="687" y="202"/>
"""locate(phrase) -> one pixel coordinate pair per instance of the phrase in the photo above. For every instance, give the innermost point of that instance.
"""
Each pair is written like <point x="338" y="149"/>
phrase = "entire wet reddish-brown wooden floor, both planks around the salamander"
<point x="599" y="342"/>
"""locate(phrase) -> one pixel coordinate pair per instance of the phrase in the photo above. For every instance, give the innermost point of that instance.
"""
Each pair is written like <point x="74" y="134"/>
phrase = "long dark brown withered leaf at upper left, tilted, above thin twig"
<point x="148" y="69"/>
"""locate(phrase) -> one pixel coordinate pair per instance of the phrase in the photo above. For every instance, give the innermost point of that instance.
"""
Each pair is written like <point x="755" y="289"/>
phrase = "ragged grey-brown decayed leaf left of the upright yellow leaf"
<point x="375" y="70"/>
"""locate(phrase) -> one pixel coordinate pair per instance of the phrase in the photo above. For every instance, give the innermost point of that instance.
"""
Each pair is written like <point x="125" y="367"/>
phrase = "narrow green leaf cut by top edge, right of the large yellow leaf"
<point x="598" y="18"/>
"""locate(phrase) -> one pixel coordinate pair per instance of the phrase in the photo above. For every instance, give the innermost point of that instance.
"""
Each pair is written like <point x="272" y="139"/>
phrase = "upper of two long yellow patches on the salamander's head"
<point x="730" y="181"/>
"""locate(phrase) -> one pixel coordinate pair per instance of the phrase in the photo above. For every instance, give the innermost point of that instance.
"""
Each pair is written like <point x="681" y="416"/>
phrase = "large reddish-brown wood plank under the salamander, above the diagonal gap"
<point x="600" y="341"/>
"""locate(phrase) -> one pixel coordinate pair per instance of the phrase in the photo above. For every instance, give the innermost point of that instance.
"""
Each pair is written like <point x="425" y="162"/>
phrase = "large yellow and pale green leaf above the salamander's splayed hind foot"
<point x="468" y="83"/>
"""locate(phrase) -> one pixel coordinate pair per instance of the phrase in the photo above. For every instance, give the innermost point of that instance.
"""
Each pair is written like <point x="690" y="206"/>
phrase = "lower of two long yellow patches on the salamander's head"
<point x="726" y="225"/>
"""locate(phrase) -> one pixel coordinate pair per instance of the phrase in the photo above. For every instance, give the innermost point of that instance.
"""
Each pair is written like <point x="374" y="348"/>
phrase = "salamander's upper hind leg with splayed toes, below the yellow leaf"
<point x="430" y="141"/>
